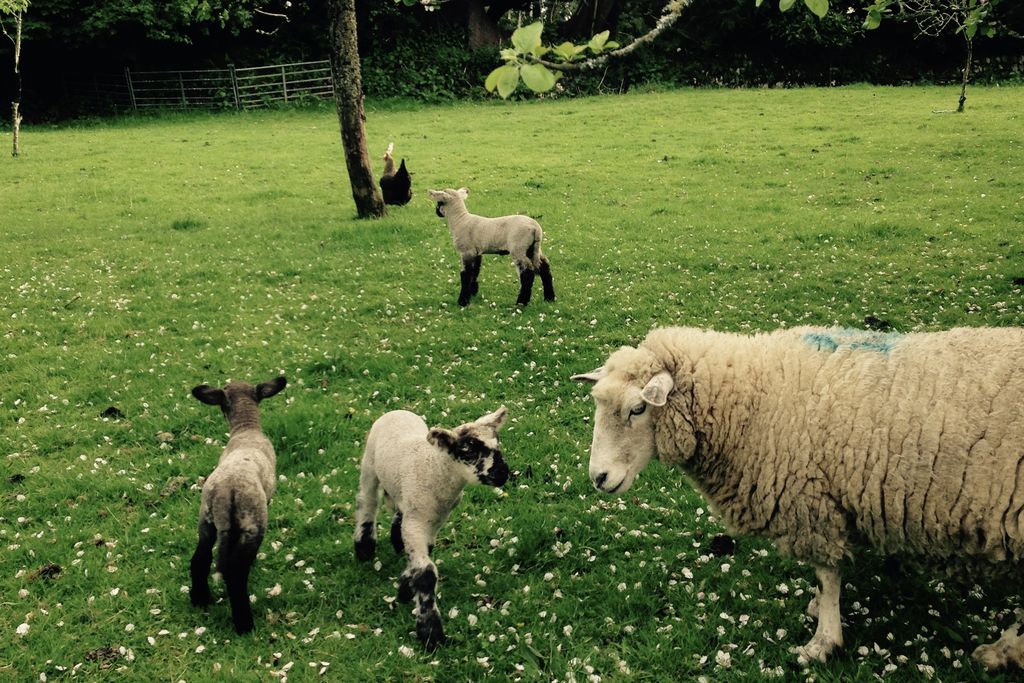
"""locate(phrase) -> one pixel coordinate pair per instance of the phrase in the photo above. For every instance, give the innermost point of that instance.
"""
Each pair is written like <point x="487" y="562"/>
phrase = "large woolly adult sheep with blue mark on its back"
<point x="824" y="440"/>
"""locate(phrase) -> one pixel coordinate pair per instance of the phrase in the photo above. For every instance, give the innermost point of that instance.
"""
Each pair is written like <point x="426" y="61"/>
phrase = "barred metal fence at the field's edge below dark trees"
<point x="248" y="88"/>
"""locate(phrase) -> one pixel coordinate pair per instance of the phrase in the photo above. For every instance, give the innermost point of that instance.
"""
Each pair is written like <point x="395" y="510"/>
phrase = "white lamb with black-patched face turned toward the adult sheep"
<point x="423" y="473"/>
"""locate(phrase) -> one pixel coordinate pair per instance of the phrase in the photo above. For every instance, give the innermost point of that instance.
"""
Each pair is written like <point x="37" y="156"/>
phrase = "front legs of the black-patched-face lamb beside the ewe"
<point x="420" y="581"/>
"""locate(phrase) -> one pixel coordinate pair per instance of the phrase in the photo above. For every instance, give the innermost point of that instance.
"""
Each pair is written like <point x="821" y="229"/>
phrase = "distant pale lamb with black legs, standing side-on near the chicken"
<point x="520" y="237"/>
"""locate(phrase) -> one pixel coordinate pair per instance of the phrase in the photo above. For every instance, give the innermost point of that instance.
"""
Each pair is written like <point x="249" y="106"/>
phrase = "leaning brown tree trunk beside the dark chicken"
<point x="349" y="98"/>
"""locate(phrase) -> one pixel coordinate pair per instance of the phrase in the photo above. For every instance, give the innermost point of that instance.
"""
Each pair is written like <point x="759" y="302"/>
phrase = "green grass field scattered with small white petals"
<point x="146" y="257"/>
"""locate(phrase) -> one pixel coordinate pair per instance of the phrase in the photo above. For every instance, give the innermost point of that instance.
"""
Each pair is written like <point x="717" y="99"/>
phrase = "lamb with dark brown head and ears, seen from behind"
<point x="233" y="513"/>
